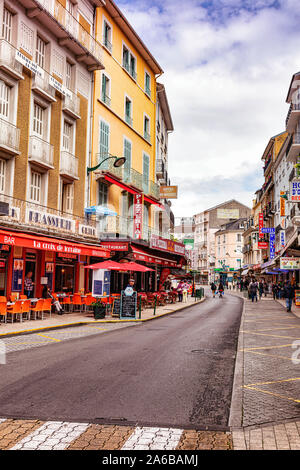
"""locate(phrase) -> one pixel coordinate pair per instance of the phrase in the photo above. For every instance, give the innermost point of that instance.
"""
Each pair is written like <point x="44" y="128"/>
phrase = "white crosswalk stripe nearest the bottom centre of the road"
<point x="153" y="438"/>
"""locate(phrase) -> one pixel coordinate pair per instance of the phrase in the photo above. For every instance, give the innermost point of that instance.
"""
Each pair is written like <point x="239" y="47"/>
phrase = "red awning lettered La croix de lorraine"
<point x="50" y="244"/>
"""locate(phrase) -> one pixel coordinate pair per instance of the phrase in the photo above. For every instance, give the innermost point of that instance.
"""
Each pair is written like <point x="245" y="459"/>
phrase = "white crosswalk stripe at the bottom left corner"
<point x="52" y="435"/>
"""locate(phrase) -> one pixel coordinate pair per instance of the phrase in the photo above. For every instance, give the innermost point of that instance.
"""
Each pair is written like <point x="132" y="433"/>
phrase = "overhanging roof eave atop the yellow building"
<point x="126" y="27"/>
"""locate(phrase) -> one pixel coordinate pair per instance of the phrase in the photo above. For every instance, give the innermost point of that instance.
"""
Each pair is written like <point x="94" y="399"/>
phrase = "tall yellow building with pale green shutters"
<point x="124" y="125"/>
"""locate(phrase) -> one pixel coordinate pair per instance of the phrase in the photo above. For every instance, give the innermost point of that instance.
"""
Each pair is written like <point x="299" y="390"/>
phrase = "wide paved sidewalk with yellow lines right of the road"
<point x="265" y="413"/>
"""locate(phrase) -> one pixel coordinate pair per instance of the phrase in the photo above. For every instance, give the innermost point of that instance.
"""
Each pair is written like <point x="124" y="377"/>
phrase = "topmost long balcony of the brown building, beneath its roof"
<point x="52" y="15"/>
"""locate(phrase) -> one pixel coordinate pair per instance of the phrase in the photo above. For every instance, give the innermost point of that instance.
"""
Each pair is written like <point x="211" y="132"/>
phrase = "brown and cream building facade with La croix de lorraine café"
<point x="48" y="56"/>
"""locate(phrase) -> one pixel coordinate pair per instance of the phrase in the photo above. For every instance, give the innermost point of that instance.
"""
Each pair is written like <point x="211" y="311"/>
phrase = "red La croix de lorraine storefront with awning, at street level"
<point x="58" y="262"/>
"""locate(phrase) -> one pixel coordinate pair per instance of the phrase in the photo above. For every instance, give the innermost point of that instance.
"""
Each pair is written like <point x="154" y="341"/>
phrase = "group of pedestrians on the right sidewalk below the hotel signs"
<point x="280" y="290"/>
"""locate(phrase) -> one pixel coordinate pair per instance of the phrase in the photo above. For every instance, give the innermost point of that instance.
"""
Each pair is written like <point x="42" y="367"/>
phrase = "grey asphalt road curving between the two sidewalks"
<point x="174" y="371"/>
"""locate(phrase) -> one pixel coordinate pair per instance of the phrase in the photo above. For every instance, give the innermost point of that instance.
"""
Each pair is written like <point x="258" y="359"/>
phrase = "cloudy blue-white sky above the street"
<point x="227" y="68"/>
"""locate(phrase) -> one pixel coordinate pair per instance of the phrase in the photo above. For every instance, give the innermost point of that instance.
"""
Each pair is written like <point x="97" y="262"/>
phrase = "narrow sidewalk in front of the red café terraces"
<point x="82" y="318"/>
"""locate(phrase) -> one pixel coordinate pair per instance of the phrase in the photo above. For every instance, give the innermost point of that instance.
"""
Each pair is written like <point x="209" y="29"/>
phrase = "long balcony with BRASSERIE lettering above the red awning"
<point x="29" y="216"/>
